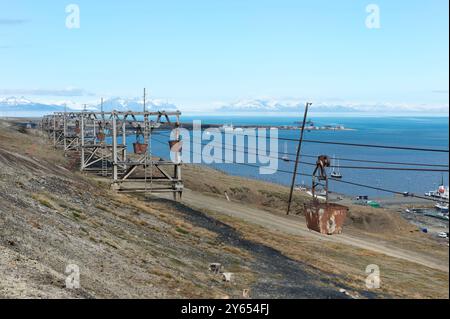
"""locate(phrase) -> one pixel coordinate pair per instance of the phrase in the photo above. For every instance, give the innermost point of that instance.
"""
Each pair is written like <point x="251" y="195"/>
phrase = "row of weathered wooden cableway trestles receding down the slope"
<point x="100" y="143"/>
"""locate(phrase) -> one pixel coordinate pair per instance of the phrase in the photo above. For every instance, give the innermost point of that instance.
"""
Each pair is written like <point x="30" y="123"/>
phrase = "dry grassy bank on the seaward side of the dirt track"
<point x="362" y="221"/>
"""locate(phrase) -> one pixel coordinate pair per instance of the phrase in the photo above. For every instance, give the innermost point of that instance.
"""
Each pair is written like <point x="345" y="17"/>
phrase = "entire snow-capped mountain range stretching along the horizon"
<point x="21" y="106"/>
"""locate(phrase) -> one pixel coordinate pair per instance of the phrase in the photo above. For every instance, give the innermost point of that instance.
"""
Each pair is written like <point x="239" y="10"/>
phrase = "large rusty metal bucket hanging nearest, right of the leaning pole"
<point x="325" y="218"/>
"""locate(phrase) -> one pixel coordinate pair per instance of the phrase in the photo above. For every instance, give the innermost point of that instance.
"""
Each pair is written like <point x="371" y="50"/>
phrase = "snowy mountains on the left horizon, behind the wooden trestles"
<point x="22" y="105"/>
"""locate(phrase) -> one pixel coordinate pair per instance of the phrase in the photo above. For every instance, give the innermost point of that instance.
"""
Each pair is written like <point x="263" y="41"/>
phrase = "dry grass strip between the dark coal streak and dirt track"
<point x="400" y="279"/>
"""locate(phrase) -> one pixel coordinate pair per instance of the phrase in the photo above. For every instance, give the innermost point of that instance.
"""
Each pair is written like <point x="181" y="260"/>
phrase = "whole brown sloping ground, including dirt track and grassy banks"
<point x="52" y="216"/>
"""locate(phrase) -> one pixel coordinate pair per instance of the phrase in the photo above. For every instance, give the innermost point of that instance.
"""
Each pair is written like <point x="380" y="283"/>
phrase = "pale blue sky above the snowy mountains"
<point x="204" y="53"/>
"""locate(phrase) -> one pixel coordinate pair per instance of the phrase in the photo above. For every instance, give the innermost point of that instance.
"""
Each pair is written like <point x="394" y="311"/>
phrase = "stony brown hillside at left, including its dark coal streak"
<point x="51" y="217"/>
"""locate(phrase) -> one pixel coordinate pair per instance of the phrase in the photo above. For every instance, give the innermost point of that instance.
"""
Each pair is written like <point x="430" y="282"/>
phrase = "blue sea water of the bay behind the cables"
<point x="421" y="132"/>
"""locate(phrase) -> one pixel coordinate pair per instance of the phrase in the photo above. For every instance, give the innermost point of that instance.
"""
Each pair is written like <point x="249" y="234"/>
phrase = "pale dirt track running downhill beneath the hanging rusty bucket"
<point x="274" y="222"/>
